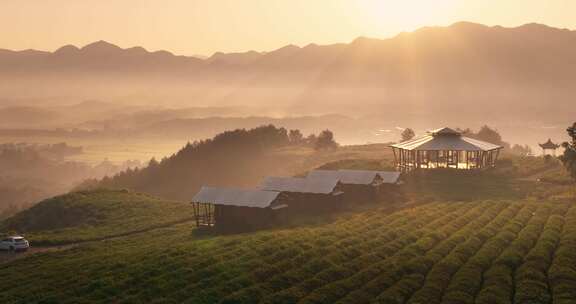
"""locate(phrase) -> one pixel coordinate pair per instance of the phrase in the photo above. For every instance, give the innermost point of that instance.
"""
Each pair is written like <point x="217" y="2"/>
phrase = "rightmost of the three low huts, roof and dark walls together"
<point x="361" y="185"/>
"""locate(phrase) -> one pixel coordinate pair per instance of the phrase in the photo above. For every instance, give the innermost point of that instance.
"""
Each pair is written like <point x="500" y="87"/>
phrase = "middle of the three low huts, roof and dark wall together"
<point x="306" y="194"/>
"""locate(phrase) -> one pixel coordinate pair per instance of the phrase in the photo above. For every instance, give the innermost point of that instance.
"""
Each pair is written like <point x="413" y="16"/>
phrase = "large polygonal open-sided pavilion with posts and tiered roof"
<point x="444" y="148"/>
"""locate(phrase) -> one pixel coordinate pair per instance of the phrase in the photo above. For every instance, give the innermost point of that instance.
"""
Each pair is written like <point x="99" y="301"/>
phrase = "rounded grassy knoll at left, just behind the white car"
<point x="91" y="215"/>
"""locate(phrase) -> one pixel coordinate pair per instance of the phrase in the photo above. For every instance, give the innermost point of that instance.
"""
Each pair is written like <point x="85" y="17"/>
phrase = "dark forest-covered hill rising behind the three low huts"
<point x="239" y="158"/>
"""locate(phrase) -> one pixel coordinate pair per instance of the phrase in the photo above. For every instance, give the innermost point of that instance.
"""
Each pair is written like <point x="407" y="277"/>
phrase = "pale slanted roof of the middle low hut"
<point x="300" y="185"/>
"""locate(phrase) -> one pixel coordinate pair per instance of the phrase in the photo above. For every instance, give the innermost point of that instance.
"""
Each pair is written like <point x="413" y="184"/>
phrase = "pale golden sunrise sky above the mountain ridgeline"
<point x="201" y="27"/>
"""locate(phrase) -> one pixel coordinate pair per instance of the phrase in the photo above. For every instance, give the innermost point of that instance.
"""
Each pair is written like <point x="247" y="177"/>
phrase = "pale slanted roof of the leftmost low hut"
<point x="235" y="197"/>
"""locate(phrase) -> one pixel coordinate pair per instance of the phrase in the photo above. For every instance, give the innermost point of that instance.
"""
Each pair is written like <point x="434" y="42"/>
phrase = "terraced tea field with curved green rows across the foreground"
<point x="473" y="252"/>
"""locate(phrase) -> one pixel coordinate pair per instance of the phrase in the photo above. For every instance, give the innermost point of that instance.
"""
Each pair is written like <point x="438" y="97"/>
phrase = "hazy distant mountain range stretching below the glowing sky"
<point x="478" y="70"/>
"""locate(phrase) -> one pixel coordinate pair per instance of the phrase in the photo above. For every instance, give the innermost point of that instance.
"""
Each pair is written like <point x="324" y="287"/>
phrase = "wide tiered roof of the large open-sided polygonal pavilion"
<point x="445" y="139"/>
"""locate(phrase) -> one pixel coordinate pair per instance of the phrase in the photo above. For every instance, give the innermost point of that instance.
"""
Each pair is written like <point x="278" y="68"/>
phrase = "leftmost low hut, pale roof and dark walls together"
<point x="230" y="208"/>
